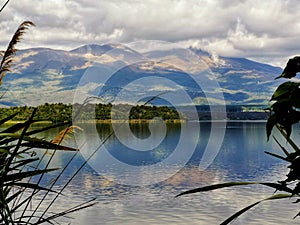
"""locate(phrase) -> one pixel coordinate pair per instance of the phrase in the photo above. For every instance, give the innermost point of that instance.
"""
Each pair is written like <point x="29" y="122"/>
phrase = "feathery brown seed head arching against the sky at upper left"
<point x="7" y="58"/>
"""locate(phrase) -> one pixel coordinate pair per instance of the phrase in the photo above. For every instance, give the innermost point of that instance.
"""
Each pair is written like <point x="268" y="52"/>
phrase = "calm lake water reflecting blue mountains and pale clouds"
<point x="241" y="157"/>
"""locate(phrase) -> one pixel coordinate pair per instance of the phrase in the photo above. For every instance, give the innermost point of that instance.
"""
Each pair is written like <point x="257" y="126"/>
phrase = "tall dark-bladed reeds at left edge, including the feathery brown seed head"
<point x="19" y="163"/>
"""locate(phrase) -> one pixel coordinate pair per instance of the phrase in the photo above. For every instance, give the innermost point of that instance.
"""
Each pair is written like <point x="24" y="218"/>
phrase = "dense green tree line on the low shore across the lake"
<point x="59" y="112"/>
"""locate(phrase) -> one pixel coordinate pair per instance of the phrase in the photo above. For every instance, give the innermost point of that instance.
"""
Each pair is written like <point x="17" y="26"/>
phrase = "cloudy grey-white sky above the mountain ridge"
<point x="263" y="30"/>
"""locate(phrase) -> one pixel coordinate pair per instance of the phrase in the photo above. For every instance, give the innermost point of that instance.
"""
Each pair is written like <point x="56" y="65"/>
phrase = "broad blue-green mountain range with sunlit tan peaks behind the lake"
<point x="118" y="73"/>
